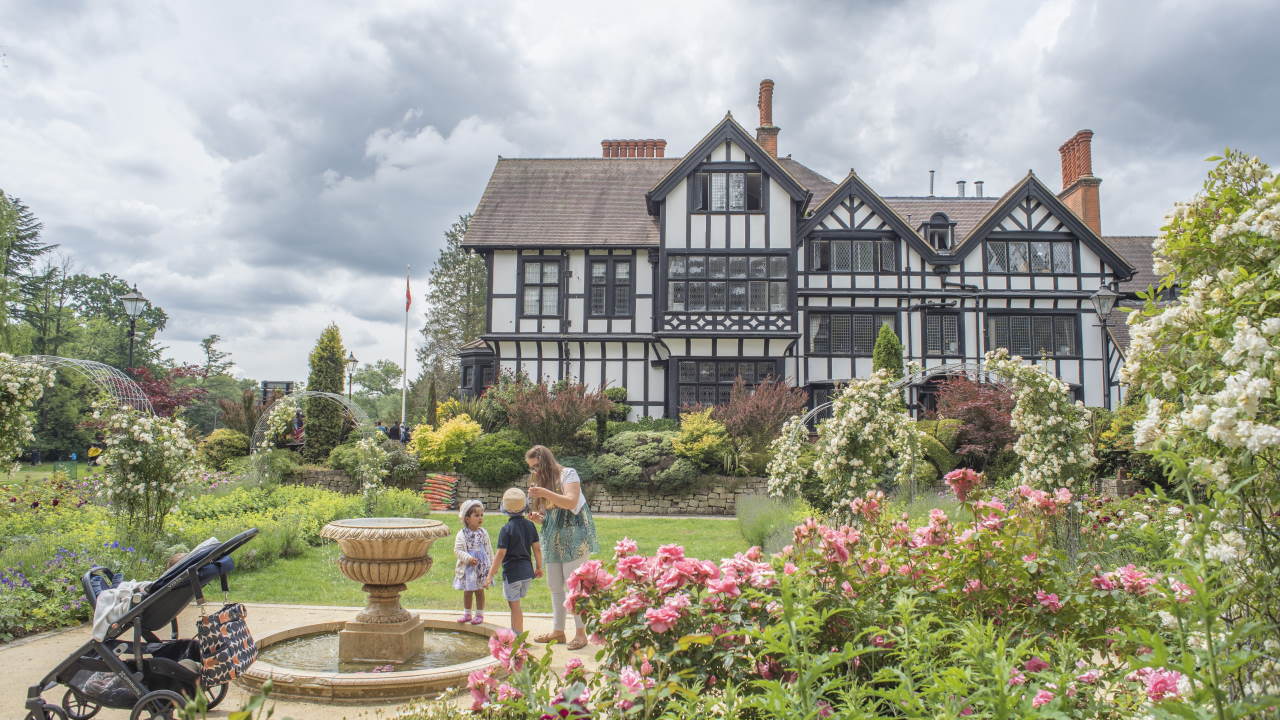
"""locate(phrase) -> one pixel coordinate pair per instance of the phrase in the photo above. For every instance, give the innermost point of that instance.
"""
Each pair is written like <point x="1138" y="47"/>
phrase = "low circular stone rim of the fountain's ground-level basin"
<point x="294" y="683"/>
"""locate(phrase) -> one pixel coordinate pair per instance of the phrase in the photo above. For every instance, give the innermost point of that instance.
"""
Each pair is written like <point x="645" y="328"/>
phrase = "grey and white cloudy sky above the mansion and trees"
<point x="262" y="170"/>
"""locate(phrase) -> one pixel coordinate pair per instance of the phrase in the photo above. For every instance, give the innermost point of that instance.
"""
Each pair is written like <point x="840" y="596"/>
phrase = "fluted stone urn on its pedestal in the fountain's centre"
<point x="383" y="554"/>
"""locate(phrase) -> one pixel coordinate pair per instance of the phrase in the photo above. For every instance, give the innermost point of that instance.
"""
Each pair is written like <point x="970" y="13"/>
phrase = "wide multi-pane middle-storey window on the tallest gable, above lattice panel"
<point x="748" y="284"/>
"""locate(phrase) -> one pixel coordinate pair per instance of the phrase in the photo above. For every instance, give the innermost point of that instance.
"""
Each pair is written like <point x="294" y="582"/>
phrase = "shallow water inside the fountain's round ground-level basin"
<point x="319" y="653"/>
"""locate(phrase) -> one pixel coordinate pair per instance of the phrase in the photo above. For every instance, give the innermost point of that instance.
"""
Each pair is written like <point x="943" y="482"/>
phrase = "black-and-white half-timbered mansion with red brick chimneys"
<point x="675" y="276"/>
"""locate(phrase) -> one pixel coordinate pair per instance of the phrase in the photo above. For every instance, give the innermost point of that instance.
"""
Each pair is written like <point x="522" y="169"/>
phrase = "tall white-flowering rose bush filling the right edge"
<point x="1208" y="368"/>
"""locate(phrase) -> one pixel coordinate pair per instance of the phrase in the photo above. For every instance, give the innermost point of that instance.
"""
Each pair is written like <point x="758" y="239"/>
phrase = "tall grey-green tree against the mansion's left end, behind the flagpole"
<point x="455" y="311"/>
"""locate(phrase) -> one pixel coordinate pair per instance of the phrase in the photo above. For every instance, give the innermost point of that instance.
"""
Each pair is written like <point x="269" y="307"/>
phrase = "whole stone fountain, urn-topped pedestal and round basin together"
<point x="378" y="655"/>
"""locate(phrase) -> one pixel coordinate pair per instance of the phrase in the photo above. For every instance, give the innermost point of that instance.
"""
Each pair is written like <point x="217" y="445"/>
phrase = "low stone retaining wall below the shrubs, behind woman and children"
<point x="714" y="496"/>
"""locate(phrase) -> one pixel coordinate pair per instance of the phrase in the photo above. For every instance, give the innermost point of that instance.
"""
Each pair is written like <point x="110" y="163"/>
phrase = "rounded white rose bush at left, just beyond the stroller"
<point x="148" y="467"/>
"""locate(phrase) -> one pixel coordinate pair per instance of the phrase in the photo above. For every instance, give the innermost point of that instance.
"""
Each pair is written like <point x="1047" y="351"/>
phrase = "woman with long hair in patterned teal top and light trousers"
<point x="568" y="537"/>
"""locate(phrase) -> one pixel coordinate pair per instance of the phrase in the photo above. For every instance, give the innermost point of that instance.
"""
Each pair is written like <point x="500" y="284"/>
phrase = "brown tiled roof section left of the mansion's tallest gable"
<point x="568" y="202"/>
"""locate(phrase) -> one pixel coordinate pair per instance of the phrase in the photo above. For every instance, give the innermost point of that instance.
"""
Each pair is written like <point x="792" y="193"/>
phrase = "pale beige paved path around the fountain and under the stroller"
<point x="26" y="662"/>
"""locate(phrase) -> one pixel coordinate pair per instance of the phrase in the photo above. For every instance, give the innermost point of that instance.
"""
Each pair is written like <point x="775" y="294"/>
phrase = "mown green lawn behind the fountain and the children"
<point x="313" y="578"/>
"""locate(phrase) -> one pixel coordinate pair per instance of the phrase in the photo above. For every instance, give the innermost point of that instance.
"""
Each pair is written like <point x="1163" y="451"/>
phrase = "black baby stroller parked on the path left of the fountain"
<point x="132" y="668"/>
